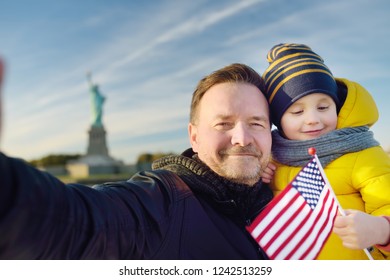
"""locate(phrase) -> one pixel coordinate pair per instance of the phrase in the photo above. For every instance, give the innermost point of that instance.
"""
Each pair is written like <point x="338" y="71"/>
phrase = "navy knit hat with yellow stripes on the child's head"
<point x="295" y="71"/>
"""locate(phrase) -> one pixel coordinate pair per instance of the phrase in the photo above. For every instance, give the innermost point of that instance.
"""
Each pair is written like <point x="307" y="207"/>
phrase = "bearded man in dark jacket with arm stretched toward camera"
<point x="192" y="206"/>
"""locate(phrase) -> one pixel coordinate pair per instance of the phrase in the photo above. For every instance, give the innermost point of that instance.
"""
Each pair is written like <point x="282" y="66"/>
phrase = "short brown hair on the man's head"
<point x="233" y="73"/>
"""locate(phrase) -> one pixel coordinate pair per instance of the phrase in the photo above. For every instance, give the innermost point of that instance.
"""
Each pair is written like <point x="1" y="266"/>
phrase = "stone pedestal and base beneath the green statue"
<point x="97" y="160"/>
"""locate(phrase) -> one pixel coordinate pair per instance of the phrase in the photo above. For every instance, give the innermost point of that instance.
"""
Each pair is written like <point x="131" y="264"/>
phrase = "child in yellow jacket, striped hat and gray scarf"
<point x="310" y="108"/>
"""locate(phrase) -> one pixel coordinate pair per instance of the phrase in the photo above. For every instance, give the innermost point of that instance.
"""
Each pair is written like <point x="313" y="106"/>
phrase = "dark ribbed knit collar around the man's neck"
<point x="224" y="194"/>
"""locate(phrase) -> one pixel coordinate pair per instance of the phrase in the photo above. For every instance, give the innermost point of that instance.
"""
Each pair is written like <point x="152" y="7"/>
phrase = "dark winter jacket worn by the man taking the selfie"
<point x="153" y="215"/>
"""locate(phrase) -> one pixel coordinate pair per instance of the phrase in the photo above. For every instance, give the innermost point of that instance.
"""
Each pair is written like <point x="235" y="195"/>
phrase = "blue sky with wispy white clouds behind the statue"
<point x="148" y="56"/>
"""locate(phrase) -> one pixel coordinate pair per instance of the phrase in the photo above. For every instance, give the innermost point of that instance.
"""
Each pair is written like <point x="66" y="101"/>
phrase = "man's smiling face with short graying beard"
<point x="232" y="133"/>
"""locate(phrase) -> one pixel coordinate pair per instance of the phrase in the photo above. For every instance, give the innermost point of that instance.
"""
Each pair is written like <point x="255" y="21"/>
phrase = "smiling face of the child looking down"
<point x="310" y="117"/>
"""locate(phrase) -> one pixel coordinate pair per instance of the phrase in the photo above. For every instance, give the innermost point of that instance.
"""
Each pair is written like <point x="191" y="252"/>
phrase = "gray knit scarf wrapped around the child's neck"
<point x="329" y="146"/>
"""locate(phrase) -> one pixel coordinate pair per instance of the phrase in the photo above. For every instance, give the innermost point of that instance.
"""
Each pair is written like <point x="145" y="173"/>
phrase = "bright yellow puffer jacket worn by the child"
<point x="360" y="180"/>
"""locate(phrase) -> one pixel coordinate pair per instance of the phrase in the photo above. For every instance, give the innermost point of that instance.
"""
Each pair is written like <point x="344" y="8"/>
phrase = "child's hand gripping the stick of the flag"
<point x="359" y="230"/>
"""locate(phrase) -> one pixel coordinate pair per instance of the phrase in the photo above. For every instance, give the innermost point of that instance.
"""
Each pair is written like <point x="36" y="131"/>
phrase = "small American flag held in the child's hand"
<point x="298" y="221"/>
